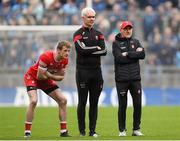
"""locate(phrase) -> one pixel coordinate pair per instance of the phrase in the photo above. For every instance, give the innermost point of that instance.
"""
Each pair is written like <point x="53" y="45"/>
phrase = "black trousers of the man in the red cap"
<point x="135" y="90"/>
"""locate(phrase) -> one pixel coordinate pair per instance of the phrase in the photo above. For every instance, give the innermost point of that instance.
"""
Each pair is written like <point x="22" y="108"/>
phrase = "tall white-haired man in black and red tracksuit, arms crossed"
<point x="90" y="46"/>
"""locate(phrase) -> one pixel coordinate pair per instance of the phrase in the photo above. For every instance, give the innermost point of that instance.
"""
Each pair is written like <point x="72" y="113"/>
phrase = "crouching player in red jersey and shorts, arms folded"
<point x="49" y="68"/>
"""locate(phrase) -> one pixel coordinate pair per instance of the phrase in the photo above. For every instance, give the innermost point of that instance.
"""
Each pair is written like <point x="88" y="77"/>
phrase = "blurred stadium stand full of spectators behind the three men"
<point x="156" y="24"/>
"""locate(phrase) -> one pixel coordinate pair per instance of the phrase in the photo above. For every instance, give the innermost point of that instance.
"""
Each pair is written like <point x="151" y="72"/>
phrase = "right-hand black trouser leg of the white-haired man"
<point x="95" y="88"/>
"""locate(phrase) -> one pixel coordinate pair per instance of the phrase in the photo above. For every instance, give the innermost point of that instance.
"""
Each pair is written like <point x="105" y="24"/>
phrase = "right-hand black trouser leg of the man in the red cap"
<point x="136" y="97"/>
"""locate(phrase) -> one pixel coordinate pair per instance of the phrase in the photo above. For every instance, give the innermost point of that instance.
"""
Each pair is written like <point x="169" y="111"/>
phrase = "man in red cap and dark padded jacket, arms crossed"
<point x="127" y="51"/>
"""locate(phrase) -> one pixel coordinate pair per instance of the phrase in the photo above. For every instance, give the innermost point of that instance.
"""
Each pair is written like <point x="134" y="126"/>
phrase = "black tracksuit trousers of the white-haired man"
<point x="88" y="81"/>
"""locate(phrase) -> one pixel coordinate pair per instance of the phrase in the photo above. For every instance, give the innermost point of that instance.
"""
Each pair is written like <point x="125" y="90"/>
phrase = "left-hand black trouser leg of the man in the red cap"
<point x="122" y="88"/>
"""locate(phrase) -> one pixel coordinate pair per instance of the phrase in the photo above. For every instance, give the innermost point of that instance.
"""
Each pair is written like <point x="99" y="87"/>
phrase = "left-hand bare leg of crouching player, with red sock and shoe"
<point x="30" y="111"/>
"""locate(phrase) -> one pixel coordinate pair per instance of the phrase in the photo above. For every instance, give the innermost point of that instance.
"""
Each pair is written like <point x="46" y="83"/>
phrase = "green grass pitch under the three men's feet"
<point x="158" y="123"/>
